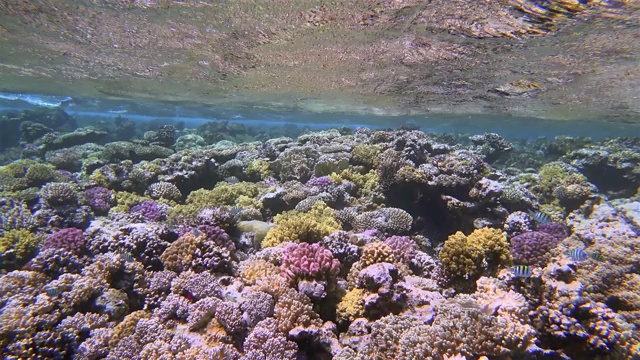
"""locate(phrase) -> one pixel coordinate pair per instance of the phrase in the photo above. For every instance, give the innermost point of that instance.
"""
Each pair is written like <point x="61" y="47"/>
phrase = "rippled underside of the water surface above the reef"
<point x="564" y="59"/>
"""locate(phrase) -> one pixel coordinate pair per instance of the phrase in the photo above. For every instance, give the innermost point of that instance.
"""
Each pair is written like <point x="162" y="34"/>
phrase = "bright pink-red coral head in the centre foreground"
<point x="308" y="261"/>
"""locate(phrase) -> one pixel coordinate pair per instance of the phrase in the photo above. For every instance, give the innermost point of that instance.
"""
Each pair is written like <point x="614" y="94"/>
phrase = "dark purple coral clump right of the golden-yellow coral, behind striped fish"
<point x="532" y="248"/>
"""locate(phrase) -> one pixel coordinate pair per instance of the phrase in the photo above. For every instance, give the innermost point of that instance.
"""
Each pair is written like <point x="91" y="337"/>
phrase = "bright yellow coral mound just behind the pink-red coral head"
<point x="296" y="226"/>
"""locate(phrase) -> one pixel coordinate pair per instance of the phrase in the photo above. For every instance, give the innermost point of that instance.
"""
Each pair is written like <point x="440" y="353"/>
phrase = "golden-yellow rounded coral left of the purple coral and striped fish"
<point x="482" y="251"/>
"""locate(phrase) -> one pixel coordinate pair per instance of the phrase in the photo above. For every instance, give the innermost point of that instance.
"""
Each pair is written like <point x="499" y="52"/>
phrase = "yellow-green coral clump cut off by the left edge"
<point x="17" y="246"/>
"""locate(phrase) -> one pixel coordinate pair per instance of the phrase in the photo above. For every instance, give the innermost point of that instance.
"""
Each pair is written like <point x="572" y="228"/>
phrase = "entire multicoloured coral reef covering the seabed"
<point x="220" y="243"/>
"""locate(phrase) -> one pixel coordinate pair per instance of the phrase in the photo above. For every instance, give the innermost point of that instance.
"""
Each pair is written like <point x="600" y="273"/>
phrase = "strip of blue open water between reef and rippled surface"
<point x="87" y="111"/>
